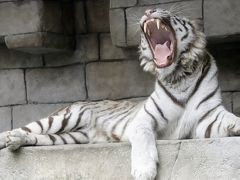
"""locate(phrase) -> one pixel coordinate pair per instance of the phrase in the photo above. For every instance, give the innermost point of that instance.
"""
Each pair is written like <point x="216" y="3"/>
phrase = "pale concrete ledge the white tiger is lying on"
<point x="188" y="159"/>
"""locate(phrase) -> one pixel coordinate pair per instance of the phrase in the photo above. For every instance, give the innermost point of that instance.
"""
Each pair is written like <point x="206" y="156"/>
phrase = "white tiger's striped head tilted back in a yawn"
<point x="170" y="44"/>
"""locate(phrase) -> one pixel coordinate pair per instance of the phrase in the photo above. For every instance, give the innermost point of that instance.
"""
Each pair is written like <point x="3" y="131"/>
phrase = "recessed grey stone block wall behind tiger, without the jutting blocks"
<point x="32" y="86"/>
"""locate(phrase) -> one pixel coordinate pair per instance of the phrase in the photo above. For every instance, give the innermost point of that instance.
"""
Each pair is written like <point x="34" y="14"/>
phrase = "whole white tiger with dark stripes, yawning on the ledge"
<point x="186" y="102"/>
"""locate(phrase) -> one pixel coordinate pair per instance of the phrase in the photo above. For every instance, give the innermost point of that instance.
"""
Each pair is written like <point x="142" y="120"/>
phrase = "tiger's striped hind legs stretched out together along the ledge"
<point x="68" y="126"/>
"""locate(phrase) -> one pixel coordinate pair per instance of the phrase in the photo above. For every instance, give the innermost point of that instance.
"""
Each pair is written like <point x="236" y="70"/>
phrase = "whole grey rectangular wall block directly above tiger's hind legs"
<point x="56" y="85"/>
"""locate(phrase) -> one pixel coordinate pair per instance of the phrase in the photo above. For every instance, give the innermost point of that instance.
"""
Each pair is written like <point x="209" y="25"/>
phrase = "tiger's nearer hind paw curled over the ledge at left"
<point x="15" y="139"/>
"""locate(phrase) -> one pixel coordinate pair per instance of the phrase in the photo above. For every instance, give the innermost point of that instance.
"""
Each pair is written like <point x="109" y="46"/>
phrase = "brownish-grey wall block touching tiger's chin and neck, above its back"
<point x="115" y="80"/>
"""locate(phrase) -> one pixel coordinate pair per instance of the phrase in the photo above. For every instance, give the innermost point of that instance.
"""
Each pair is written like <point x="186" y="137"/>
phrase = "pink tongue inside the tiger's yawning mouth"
<point x="161" y="52"/>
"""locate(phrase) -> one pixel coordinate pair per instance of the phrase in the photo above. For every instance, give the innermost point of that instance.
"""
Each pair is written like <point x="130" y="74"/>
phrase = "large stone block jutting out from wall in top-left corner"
<point x="37" y="26"/>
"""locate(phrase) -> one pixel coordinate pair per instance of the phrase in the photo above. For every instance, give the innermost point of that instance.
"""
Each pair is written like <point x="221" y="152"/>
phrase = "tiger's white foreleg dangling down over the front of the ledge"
<point x="144" y="155"/>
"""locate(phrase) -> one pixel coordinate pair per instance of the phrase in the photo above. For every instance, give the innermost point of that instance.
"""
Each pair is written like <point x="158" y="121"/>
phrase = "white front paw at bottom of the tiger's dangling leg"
<point x="144" y="171"/>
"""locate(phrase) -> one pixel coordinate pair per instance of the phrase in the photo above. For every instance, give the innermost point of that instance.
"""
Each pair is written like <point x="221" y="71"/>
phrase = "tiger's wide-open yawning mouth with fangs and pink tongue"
<point x="161" y="40"/>
